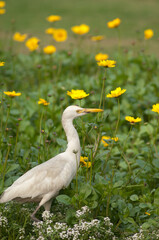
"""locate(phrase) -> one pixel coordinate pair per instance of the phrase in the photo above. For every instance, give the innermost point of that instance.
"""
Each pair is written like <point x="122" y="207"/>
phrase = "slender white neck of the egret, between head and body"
<point x="72" y="137"/>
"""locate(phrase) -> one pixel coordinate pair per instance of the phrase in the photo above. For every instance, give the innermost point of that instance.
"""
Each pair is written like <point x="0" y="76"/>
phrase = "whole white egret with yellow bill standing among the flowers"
<point x="43" y="182"/>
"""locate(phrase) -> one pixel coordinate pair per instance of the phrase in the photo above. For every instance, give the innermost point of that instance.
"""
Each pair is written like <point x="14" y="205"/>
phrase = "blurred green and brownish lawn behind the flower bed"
<point x="136" y="16"/>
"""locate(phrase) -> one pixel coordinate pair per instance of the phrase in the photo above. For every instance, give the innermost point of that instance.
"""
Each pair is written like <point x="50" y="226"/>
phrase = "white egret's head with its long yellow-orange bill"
<point x="73" y="111"/>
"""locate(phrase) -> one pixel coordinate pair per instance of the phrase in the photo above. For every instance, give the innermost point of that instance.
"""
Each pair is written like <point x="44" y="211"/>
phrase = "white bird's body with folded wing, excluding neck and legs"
<point x="49" y="176"/>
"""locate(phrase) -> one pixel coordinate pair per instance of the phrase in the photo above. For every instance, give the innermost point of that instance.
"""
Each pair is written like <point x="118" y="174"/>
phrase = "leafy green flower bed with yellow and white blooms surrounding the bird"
<point x="115" y="194"/>
